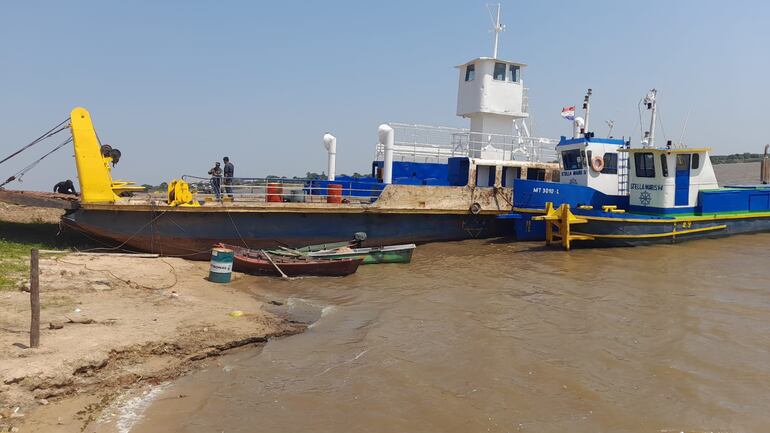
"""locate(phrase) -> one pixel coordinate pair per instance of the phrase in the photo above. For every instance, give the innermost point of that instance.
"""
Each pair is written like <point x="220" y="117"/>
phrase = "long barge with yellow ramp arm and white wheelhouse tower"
<point x="420" y="189"/>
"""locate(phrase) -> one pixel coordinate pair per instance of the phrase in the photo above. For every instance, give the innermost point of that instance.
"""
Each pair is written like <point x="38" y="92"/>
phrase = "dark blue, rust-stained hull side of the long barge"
<point x="192" y="234"/>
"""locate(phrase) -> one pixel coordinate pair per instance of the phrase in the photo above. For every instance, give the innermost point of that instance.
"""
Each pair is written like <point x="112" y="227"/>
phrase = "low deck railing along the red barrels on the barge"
<point x="285" y="190"/>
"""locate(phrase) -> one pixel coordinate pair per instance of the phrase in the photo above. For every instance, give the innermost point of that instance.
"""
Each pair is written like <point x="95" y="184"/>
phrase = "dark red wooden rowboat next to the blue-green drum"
<point x="256" y="263"/>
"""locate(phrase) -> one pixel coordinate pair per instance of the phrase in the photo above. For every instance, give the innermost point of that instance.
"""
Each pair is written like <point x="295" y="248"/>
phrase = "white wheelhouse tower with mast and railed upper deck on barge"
<point x="492" y="95"/>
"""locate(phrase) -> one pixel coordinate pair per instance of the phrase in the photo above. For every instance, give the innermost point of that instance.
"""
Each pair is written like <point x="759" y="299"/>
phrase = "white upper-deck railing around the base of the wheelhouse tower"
<point x="436" y="144"/>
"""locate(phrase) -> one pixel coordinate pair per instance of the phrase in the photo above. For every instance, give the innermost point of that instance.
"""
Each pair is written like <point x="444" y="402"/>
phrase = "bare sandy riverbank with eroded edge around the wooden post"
<point x="110" y="325"/>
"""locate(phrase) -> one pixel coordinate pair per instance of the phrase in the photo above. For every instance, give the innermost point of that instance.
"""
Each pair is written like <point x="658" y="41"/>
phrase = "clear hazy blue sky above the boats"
<point x="177" y="85"/>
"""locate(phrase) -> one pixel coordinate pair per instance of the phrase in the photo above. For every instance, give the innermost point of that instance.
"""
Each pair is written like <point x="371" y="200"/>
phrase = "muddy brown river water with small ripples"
<point x="492" y="336"/>
